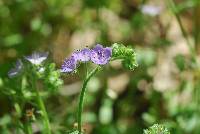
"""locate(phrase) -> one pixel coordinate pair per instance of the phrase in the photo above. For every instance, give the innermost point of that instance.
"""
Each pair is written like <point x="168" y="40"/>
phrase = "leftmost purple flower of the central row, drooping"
<point x="69" y="65"/>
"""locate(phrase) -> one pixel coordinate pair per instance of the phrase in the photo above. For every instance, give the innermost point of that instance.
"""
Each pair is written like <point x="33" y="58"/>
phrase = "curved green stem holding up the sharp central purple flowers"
<point x="81" y="98"/>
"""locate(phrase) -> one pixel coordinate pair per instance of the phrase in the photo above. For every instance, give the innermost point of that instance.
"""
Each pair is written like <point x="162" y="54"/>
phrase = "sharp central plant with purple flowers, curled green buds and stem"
<point x="100" y="56"/>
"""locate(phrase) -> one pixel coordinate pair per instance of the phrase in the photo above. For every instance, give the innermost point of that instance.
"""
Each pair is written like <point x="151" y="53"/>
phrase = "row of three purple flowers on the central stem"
<point x="98" y="55"/>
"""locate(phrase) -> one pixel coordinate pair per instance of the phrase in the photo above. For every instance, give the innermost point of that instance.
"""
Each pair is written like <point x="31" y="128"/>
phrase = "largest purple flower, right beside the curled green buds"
<point x="100" y="55"/>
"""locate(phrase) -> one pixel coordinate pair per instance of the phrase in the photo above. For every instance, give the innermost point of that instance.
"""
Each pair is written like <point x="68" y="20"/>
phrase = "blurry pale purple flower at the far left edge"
<point x="16" y="70"/>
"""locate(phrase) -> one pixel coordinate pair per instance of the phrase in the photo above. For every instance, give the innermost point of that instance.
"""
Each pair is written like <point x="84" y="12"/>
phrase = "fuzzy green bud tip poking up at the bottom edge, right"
<point x="156" y="129"/>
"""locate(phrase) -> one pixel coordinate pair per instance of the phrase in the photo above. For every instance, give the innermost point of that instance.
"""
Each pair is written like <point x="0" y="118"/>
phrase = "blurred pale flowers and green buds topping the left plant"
<point x="46" y="72"/>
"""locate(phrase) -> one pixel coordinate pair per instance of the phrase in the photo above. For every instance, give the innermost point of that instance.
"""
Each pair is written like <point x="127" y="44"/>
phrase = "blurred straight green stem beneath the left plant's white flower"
<point x="47" y="128"/>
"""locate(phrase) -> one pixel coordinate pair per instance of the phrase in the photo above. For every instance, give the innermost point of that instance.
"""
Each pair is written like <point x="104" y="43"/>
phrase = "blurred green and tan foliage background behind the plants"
<point x="164" y="88"/>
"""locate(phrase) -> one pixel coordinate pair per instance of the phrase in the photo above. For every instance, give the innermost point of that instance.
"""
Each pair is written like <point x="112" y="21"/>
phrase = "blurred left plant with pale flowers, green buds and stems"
<point x="30" y="72"/>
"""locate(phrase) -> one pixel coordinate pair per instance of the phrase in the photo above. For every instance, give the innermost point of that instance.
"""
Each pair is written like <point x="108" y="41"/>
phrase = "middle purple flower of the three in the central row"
<point x="83" y="55"/>
